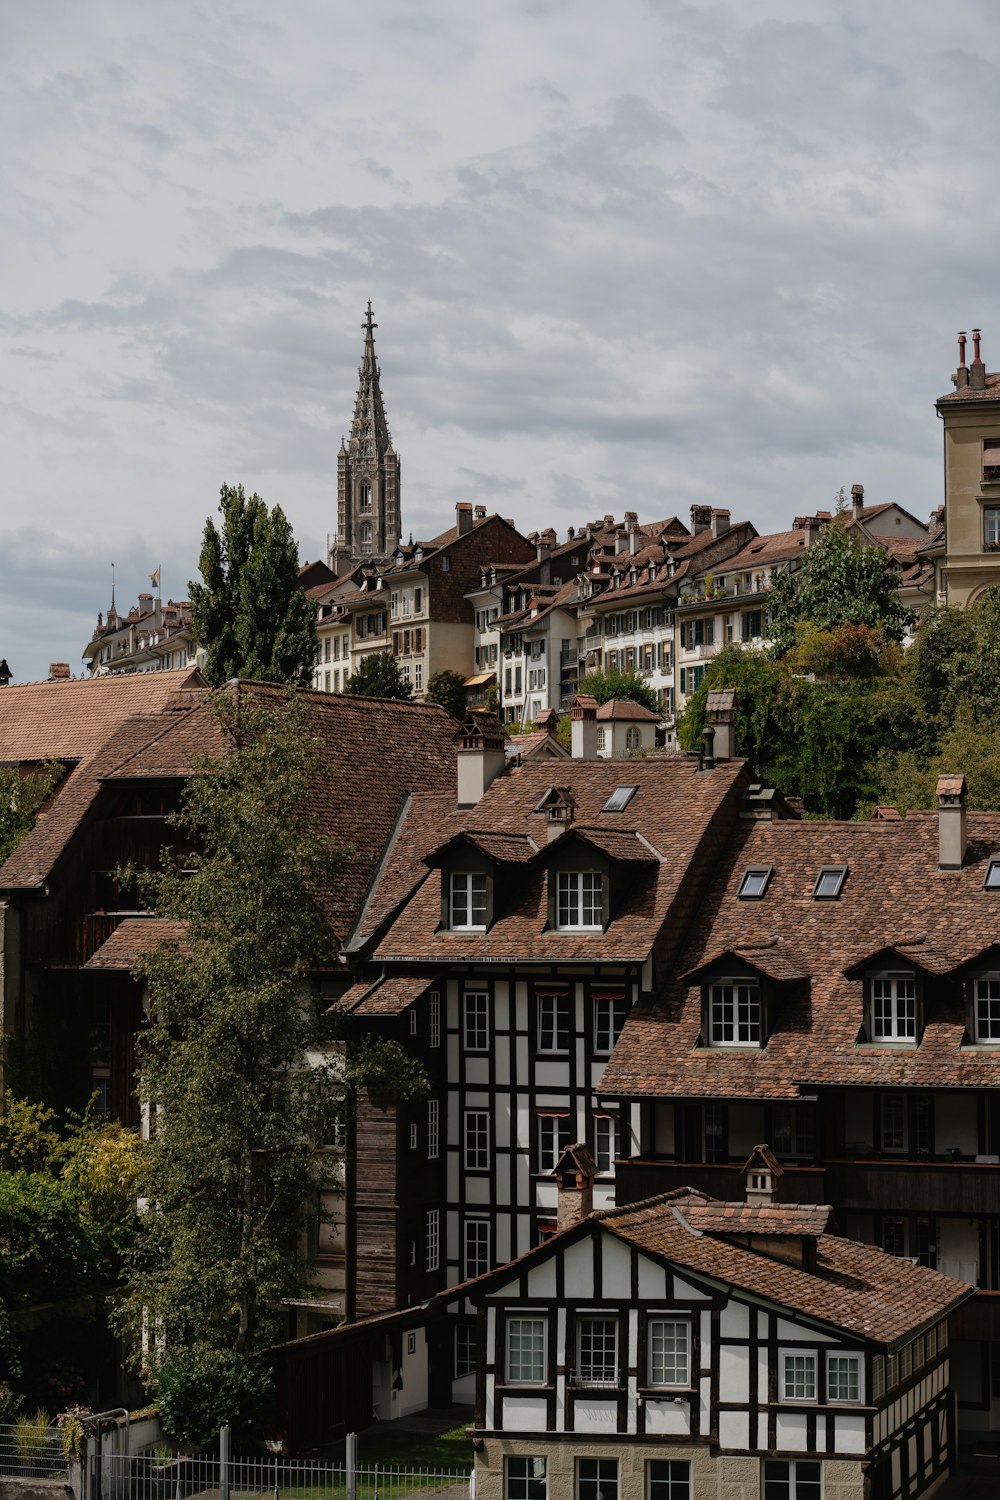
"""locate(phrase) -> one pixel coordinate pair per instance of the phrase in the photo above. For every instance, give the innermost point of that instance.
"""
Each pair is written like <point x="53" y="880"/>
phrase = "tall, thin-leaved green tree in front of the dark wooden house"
<point x="224" y="1061"/>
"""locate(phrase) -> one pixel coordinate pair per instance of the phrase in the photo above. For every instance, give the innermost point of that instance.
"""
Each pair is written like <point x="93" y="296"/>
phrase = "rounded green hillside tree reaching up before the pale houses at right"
<point x="840" y="583"/>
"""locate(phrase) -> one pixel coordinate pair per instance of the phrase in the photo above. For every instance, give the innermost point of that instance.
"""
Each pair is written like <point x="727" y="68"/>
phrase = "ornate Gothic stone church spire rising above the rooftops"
<point x="368" y="473"/>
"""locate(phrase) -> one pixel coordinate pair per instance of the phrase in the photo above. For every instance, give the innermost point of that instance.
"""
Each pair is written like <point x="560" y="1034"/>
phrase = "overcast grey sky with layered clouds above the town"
<point x="636" y="257"/>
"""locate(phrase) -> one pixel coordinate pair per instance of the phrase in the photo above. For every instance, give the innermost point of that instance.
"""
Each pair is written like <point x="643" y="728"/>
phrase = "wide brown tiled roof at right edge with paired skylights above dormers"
<point x="893" y="884"/>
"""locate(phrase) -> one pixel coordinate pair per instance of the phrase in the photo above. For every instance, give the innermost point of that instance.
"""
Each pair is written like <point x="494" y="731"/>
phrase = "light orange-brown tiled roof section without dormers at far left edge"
<point x="71" y="719"/>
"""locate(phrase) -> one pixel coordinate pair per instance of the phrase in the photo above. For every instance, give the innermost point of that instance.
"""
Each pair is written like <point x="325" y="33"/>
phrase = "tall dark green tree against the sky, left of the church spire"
<point x="251" y="613"/>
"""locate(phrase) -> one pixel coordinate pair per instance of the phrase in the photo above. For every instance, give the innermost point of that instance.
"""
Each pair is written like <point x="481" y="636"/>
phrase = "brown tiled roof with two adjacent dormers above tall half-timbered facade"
<point x="674" y="809"/>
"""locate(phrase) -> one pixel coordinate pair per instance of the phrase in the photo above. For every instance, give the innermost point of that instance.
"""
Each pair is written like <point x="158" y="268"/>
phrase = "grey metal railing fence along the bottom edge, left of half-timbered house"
<point x="148" y="1477"/>
